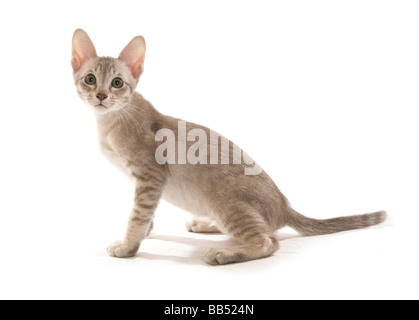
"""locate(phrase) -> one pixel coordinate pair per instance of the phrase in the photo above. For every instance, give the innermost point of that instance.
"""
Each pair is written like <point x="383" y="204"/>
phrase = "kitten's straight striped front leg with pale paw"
<point x="147" y="197"/>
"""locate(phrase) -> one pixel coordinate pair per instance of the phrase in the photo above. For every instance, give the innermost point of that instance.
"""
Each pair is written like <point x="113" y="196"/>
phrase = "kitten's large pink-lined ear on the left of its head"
<point x="82" y="50"/>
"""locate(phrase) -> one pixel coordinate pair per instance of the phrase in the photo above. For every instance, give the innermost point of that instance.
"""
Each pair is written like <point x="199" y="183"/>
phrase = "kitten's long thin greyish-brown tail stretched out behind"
<point x="311" y="227"/>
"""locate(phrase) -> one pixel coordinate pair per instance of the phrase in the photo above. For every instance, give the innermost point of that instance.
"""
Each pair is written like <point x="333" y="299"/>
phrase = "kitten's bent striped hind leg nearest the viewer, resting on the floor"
<point x="256" y="237"/>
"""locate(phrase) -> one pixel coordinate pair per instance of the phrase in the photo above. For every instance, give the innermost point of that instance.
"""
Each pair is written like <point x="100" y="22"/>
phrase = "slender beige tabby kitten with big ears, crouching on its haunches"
<point x="249" y="207"/>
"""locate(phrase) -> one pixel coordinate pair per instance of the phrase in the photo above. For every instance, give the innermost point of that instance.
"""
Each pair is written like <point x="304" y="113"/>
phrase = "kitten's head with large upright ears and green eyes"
<point x="106" y="84"/>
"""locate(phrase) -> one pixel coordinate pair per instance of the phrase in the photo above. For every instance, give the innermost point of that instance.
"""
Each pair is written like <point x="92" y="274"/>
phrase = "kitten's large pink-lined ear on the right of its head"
<point x="133" y="55"/>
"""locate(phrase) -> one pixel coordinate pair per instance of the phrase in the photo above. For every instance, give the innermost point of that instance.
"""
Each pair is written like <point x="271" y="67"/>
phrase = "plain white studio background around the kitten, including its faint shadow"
<point x="323" y="94"/>
